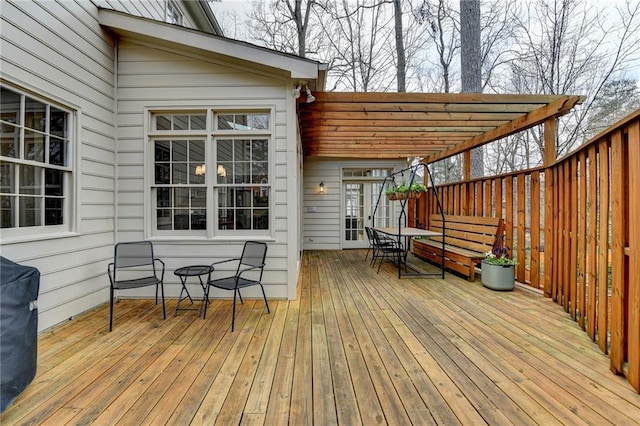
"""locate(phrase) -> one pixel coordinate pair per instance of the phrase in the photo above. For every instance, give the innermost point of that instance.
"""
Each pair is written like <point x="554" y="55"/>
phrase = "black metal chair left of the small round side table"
<point x="135" y="266"/>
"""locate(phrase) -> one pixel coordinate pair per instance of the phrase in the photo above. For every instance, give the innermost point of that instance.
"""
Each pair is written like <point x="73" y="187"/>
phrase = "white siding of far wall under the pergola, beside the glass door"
<point x="323" y="223"/>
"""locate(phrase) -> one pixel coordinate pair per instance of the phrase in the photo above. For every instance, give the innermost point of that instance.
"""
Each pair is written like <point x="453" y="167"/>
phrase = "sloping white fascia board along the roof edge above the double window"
<point x="299" y="68"/>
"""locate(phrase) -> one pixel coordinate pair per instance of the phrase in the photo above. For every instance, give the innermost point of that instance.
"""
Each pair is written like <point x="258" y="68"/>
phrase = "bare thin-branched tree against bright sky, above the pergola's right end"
<point x="570" y="47"/>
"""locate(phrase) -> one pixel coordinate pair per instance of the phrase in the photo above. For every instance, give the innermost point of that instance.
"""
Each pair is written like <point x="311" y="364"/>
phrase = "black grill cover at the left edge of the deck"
<point x="19" y="287"/>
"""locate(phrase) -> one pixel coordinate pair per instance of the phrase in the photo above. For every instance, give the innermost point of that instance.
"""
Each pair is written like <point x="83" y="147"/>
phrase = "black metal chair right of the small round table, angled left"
<point x="248" y="273"/>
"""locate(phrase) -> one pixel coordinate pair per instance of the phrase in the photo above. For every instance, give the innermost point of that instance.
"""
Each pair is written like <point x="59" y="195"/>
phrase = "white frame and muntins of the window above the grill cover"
<point x="69" y="176"/>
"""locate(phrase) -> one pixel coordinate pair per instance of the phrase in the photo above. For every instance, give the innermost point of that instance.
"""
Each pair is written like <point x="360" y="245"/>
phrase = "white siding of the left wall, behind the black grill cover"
<point x="58" y="51"/>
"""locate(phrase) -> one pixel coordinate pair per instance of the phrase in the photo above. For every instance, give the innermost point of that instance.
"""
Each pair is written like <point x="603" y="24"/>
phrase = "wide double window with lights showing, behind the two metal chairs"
<point x="235" y="146"/>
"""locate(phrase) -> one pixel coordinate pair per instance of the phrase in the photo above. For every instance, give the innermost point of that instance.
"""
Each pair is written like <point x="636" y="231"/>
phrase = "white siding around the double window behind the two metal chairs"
<point x="151" y="78"/>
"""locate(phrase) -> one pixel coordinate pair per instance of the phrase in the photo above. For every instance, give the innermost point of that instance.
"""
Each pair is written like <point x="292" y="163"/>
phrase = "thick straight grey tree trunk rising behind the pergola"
<point x="471" y="71"/>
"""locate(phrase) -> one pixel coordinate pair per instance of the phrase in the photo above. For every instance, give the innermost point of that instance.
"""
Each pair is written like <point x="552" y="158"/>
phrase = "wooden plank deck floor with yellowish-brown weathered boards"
<point x="356" y="348"/>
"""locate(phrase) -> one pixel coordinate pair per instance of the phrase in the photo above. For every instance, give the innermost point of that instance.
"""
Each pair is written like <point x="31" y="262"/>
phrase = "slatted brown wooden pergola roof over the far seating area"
<point x="428" y="125"/>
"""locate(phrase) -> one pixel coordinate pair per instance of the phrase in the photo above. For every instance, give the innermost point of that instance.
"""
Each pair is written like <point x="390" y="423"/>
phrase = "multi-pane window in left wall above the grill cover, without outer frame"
<point x="35" y="167"/>
